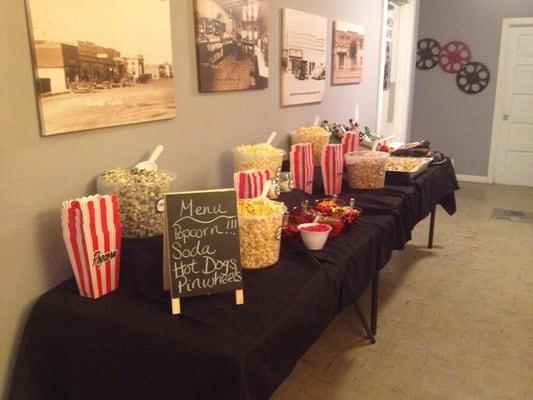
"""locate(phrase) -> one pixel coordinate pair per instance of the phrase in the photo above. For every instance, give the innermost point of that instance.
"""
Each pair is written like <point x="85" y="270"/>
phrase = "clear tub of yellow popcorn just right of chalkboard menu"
<point x="260" y="229"/>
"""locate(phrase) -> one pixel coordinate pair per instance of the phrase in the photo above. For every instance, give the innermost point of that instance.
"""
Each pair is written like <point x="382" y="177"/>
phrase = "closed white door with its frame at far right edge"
<point x="514" y="106"/>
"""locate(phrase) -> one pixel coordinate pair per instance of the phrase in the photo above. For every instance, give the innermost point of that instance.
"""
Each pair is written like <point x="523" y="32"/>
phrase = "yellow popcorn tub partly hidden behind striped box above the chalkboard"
<point x="259" y="157"/>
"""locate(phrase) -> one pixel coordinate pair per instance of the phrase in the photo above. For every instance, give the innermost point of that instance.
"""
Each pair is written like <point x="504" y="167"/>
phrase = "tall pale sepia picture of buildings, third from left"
<point x="303" y="60"/>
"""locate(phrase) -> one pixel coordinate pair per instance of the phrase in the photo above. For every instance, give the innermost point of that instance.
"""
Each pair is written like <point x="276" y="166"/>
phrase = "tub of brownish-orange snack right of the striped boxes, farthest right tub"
<point x="366" y="169"/>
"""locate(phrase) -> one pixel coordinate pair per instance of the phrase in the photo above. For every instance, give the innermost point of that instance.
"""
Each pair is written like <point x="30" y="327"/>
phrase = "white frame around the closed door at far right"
<point x="501" y="86"/>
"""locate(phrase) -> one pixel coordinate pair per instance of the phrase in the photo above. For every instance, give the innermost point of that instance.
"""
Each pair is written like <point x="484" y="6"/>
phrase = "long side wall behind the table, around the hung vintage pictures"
<point x="37" y="173"/>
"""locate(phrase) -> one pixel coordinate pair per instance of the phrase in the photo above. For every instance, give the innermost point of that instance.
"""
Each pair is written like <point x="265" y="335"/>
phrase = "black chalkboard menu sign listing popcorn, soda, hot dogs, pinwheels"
<point x="202" y="250"/>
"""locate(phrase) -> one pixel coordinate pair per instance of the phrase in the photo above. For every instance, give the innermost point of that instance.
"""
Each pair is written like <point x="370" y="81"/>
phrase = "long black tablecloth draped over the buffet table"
<point x="126" y="345"/>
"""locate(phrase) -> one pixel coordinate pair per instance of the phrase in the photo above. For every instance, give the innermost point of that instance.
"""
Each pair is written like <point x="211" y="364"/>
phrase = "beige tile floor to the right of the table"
<point x="455" y="322"/>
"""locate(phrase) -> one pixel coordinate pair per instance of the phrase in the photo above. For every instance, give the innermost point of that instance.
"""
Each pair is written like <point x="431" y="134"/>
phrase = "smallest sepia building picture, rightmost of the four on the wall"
<point x="348" y="53"/>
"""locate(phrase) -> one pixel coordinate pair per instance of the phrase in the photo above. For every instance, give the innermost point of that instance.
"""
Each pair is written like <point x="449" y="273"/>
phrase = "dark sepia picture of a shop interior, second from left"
<point x="231" y="44"/>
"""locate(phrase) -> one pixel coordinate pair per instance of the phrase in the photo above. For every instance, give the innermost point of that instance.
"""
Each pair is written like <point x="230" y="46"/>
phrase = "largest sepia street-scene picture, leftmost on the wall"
<point x="101" y="63"/>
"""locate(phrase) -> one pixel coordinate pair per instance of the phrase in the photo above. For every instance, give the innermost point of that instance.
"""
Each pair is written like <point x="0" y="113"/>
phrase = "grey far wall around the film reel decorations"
<point x="458" y="124"/>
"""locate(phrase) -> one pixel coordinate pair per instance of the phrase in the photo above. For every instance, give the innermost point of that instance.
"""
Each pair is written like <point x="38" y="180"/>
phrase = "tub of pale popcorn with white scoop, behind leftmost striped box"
<point x="141" y="199"/>
